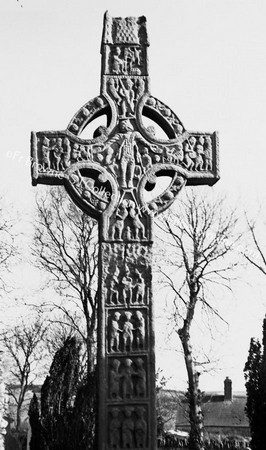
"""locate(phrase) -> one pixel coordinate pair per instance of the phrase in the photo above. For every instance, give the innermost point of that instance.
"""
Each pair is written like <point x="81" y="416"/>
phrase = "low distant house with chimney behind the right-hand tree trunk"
<point x="224" y="413"/>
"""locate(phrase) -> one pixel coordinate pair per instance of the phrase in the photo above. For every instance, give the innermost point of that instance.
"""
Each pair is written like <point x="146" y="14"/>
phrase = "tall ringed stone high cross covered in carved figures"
<point x="109" y="177"/>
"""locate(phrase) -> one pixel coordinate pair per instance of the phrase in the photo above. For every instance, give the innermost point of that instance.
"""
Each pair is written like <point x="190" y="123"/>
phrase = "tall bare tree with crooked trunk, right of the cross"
<point x="201" y="237"/>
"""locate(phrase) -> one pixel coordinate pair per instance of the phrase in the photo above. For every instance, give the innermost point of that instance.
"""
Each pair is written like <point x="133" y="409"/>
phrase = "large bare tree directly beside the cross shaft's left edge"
<point x="65" y="246"/>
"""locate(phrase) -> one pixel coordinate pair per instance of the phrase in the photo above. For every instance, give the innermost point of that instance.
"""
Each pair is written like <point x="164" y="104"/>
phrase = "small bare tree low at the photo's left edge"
<point x="23" y="347"/>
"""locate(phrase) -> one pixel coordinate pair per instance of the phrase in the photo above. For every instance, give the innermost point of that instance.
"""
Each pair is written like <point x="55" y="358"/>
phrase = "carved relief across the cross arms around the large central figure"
<point x="128" y="157"/>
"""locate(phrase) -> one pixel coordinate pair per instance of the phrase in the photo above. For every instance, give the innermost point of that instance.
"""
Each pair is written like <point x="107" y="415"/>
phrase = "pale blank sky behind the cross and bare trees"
<point x="207" y="62"/>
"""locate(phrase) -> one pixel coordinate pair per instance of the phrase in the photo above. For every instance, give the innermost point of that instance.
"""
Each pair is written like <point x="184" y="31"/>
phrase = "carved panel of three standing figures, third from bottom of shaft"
<point x="127" y="331"/>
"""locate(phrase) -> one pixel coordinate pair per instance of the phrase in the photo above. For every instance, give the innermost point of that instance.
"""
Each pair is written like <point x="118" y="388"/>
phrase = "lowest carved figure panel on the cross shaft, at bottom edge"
<point x="128" y="427"/>
